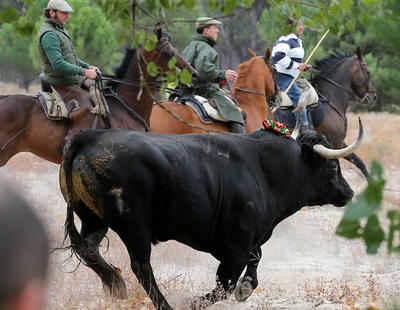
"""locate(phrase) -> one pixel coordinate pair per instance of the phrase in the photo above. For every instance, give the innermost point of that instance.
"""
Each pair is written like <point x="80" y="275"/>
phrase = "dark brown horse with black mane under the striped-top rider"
<point x="341" y="77"/>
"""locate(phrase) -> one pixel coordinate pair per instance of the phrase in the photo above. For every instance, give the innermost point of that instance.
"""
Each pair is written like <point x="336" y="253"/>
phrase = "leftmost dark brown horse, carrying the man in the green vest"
<point x="25" y="128"/>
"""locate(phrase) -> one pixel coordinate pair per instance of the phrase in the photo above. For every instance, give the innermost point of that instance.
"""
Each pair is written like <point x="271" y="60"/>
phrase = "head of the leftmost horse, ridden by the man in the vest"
<point x="164" y="51"/>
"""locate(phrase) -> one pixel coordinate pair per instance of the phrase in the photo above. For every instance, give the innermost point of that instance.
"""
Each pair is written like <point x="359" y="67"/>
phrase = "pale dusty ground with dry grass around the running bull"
<point x="304" y="265"/>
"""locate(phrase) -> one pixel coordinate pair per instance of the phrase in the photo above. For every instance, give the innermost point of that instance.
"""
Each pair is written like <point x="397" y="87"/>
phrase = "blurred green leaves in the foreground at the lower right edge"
<point x="360" y="219"/>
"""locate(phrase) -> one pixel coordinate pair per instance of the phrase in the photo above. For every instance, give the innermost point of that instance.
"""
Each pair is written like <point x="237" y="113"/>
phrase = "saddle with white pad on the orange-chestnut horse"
<point x="203" y="107"/>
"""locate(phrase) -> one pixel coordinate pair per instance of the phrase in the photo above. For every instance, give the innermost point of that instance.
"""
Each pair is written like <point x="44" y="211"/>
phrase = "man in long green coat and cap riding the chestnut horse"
<point x="204" y="58"/>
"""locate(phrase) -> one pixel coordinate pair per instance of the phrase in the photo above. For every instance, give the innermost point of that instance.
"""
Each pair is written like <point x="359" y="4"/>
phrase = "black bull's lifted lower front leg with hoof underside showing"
<point x="246" y="285"/>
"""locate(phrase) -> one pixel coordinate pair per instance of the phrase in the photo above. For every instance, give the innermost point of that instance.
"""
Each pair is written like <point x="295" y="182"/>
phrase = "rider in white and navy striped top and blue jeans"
<point x="287" y="57"/>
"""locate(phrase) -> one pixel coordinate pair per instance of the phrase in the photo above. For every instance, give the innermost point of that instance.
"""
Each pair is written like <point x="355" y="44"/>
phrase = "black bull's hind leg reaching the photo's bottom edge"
<point x="133" y="234"/>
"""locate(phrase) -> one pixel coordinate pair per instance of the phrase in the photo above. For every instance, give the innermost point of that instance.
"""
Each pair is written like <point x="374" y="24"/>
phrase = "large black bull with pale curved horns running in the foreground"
<point x="218" y="193"/>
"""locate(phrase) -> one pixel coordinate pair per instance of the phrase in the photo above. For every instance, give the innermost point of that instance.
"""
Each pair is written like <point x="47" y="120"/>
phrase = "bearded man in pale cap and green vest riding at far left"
<point x="62" y="67"/>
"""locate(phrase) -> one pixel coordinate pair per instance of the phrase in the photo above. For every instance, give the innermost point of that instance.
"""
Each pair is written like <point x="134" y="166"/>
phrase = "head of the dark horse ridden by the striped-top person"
<point x="361" y="80"/>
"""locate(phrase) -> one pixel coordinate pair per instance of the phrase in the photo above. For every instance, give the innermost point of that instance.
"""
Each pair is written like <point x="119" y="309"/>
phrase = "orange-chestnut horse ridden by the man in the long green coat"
<point x="254" y="84"/>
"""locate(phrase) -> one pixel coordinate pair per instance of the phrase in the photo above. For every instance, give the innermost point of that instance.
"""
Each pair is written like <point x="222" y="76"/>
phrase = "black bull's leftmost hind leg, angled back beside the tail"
<point x="86" y="245"/>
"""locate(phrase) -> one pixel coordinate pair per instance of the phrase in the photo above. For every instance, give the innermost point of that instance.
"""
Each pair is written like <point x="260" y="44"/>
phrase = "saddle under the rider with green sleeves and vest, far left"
<point x="52" y="103"/>
